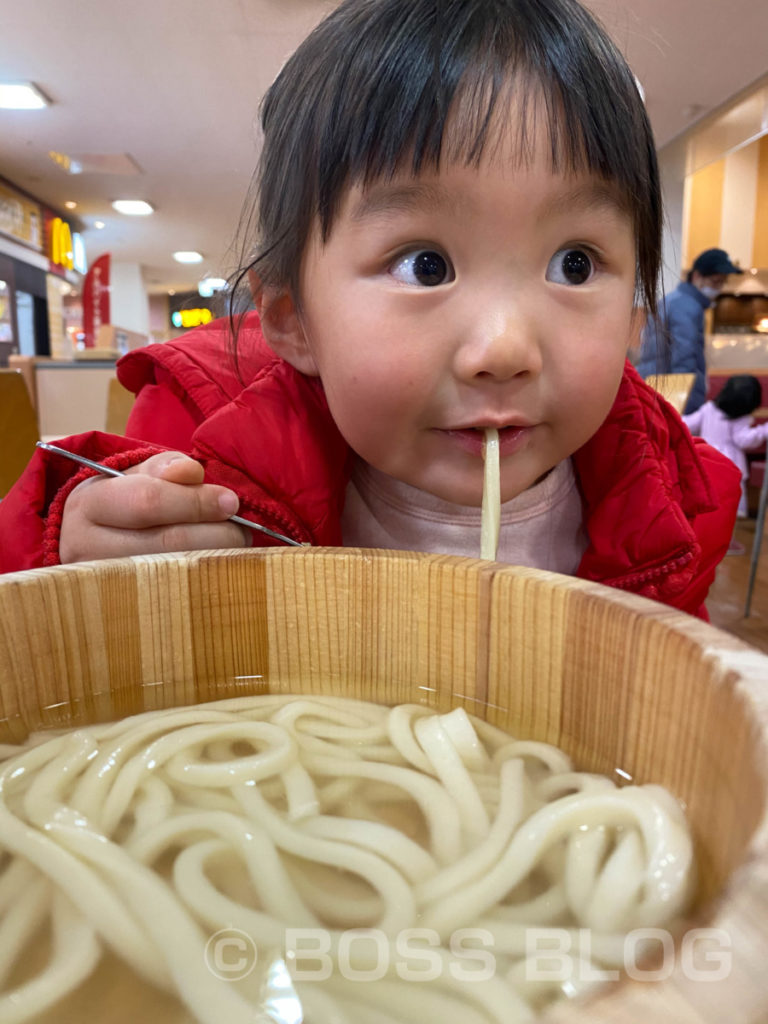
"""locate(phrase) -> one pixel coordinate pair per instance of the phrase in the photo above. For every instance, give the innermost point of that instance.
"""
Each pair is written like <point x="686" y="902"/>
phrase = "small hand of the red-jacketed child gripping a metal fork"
<point x="160" y="505"/>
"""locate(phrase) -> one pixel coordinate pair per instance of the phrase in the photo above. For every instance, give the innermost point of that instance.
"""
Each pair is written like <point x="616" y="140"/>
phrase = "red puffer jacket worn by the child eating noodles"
<point x="660" y="505"/>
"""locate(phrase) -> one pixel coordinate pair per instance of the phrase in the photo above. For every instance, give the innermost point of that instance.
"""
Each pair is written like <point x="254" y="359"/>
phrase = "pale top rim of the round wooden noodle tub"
<point x="742" y="909"/>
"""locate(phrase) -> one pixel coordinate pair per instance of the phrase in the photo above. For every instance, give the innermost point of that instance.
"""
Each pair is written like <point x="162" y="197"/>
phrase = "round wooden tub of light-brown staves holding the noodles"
<point x="617" y="681"/>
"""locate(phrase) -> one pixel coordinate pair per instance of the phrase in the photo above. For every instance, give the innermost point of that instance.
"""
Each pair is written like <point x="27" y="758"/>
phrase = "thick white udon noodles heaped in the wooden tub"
<point x="331" y="818"/>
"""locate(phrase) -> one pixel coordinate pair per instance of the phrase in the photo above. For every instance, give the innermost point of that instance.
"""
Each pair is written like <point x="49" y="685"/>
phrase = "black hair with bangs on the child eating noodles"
<point x="385" y="87"/>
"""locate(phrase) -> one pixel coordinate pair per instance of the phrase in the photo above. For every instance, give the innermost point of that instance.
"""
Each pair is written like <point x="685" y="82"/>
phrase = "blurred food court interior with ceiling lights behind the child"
<point x="67" y="165"/>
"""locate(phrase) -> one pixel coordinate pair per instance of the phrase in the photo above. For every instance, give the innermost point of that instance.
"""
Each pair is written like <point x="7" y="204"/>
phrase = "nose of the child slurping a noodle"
<point x="500" y="346"/>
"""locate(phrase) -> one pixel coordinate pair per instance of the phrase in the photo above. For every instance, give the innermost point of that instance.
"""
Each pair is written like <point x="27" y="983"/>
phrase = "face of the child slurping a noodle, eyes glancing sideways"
<point x="478" y="297"/>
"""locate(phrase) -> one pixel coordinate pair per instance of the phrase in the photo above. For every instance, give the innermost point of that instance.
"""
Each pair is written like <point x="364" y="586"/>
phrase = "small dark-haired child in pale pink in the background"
<point x="727" y="424"/>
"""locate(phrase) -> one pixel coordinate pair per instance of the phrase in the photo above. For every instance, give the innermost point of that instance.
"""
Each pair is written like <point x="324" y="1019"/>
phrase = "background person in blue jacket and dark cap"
<point x="674" y="343"/>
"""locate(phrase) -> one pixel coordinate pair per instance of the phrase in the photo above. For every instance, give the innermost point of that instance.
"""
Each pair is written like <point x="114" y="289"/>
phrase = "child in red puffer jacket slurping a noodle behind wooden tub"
<point x="458" y="214"/>
